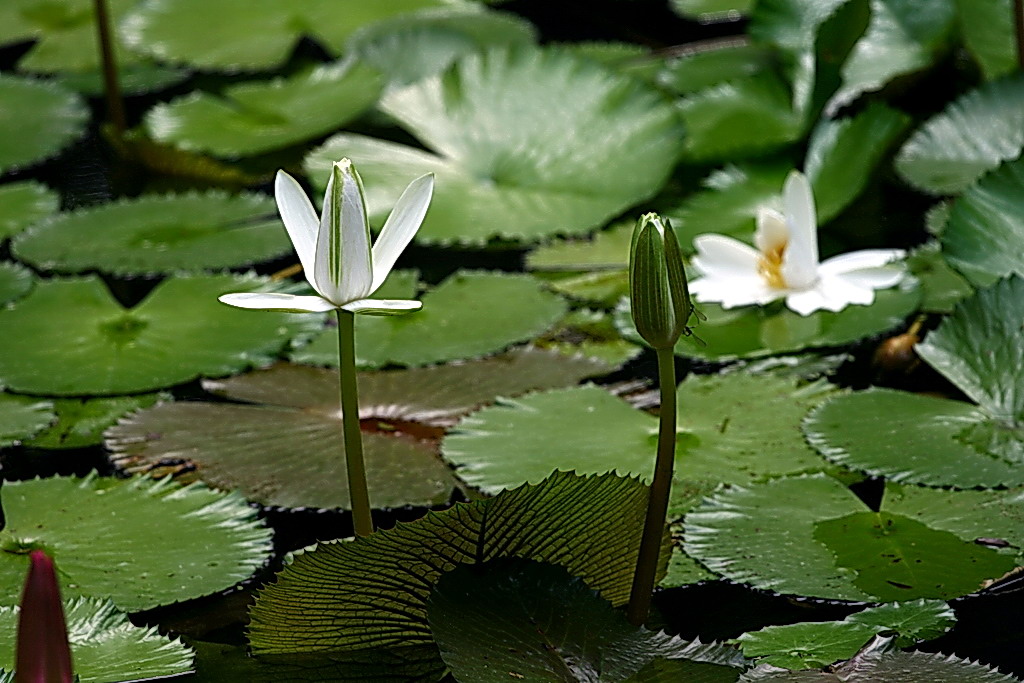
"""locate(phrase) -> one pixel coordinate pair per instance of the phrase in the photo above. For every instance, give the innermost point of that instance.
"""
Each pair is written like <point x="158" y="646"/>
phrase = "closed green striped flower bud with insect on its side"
<point x="661" y="302"/>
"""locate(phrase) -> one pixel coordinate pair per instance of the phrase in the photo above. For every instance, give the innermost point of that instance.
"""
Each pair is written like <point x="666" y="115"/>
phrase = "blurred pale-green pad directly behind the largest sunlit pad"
<point x="413" y="47"/>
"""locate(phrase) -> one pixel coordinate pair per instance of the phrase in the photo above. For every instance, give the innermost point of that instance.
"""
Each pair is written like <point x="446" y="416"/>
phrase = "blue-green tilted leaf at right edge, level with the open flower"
<point x="984" y="234"/>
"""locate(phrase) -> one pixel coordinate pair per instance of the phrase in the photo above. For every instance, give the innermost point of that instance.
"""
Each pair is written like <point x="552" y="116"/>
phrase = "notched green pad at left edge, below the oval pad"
<point x="70" y="337"/>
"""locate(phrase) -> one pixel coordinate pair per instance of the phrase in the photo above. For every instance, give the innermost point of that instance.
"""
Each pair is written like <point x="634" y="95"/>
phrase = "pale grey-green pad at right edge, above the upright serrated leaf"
<point x="973" y="136"/>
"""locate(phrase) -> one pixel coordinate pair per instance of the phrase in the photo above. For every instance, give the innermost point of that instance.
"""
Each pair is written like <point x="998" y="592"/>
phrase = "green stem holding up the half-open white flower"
<point x="358" y="493"/>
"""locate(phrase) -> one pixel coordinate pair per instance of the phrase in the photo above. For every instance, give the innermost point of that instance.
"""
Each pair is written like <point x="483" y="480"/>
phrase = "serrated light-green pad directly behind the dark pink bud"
<point x="138" y="542"/>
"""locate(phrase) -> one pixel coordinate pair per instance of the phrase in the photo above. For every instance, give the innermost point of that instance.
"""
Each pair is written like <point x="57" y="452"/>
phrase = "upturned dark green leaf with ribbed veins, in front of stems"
<point x="372" y="592"/>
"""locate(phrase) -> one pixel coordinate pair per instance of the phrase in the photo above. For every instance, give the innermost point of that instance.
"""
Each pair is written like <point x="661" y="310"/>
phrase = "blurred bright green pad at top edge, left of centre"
<point x="178" y="31"/>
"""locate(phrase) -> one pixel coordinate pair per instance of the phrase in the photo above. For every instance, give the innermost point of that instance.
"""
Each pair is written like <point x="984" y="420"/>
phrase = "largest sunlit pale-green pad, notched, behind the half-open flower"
<point x="590" y="145"/>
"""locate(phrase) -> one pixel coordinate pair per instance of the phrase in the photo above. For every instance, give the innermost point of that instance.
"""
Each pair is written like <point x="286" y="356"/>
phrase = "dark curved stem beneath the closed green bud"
<point x="658" y="502"/>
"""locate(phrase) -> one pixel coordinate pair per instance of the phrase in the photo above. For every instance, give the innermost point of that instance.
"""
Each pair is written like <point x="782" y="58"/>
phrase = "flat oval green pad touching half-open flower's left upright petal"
<point x="158" y="235"/>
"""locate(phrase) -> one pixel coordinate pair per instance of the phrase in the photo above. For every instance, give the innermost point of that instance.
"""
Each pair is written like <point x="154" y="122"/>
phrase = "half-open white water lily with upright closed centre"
<point x="335" y="249"/>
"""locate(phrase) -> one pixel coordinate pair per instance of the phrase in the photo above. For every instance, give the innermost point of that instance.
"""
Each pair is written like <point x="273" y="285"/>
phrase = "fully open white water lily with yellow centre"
<point x="786" y="263"/>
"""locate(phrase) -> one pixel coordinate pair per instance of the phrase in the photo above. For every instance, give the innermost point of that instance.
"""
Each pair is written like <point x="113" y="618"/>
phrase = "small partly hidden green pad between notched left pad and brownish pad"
<point x="80" y="422"/>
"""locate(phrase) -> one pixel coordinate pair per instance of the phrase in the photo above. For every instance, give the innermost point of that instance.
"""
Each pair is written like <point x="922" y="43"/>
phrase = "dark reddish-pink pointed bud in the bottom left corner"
<point x="44" y="654"/>
